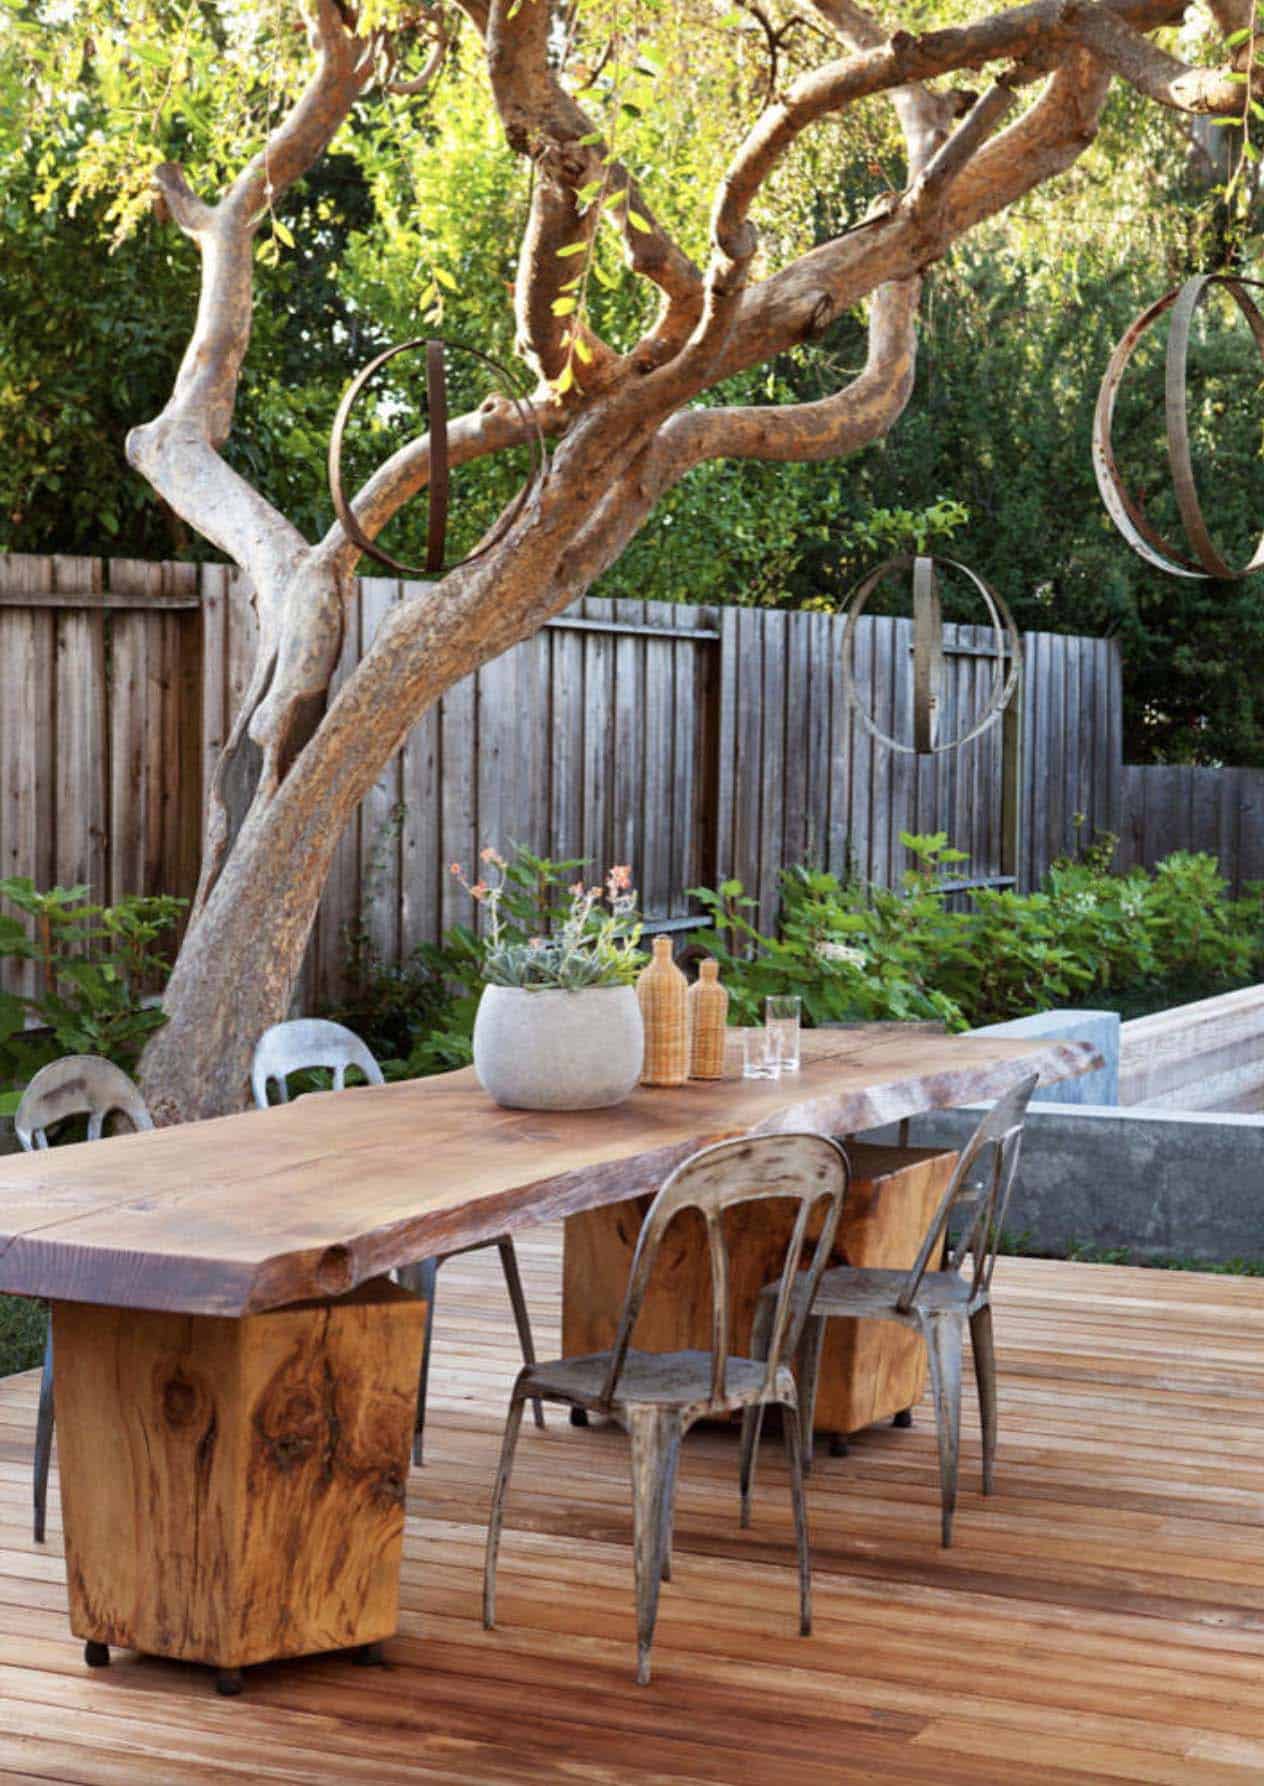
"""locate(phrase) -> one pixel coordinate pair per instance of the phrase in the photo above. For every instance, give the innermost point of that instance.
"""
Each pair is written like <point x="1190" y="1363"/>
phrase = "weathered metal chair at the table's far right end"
<point x="938" y="1303"/>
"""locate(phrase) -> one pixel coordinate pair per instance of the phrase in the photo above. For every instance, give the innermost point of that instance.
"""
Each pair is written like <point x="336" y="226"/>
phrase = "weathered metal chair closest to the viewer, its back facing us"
<point x="658" y="1396"/>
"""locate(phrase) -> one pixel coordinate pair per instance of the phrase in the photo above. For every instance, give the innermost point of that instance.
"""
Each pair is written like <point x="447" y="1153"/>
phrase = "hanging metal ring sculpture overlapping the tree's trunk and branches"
<point x="437" y="385"/>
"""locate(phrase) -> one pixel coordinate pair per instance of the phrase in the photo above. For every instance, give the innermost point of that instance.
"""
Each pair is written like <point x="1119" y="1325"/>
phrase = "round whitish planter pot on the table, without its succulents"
<point x="554" y="1051"/>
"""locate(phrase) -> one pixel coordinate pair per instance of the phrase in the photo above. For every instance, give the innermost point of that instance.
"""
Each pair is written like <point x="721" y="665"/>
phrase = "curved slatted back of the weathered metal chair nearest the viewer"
<point x="806" y="1169"/>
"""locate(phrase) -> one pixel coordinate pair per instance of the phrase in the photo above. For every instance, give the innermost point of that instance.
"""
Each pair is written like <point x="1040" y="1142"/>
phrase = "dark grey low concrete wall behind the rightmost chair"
<point x="1167" y="1183"/>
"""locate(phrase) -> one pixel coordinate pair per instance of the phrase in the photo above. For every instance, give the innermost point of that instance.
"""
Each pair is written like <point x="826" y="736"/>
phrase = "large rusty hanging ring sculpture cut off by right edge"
<point x="1127" y="515"/>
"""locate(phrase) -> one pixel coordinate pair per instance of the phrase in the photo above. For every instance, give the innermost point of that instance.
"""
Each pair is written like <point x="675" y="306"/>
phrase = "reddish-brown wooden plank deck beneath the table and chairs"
<point x="1101" y="1619"/>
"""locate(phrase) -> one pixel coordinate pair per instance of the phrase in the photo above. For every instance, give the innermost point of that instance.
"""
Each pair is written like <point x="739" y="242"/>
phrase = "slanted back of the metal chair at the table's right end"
<point x="997" y="1144"/>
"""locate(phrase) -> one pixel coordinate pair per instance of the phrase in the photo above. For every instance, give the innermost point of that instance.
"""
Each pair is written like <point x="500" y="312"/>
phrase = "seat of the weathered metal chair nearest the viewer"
<point x="665" y="1380"/>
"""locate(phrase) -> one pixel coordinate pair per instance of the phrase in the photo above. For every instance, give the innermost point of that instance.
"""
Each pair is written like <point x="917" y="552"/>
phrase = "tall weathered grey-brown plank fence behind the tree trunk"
<point x="690" y="742"/>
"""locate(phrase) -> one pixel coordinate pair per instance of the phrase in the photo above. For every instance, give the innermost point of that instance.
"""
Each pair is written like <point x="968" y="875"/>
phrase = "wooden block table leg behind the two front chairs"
<point x="870" y="1371"/>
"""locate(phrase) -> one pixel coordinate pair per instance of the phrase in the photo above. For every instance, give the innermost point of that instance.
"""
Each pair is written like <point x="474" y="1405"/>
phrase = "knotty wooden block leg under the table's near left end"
<point x="233" y="1490"/>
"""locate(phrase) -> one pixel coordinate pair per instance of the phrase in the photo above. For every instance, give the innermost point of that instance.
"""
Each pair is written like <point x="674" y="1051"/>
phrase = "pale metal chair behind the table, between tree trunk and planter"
<point x="312" y="1042"/>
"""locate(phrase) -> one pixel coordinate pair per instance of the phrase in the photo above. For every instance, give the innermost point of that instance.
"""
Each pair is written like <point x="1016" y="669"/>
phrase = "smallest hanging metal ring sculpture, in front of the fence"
<point x="929" y="658"/>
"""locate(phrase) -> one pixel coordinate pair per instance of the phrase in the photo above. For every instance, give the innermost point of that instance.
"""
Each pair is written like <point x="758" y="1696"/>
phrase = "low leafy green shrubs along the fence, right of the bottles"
<point x="860" y="953"/>
